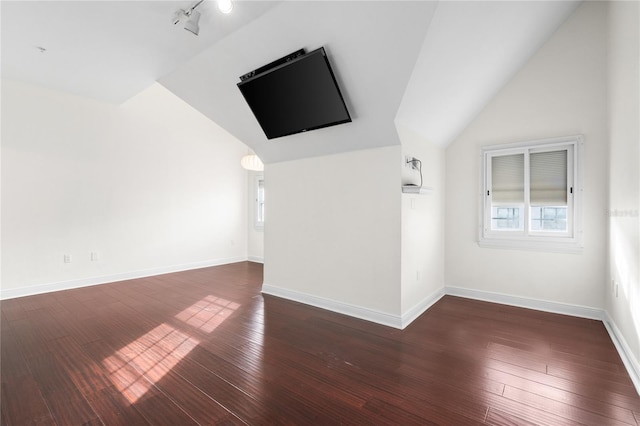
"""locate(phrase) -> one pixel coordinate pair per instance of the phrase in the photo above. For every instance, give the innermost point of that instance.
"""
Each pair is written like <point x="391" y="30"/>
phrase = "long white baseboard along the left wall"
<point x="104" y="279"/>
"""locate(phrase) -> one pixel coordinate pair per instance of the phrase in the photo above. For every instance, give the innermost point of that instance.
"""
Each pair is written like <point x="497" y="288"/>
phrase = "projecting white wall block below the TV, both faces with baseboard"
<point x="341" y="235"/>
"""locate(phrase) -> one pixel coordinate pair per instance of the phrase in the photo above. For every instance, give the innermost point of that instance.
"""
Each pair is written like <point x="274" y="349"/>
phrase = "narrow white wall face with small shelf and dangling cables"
<point x="422" y="258"/>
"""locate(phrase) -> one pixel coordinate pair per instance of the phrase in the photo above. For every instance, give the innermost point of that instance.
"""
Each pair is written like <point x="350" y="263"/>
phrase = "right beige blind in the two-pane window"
<point x="548" y="178"/>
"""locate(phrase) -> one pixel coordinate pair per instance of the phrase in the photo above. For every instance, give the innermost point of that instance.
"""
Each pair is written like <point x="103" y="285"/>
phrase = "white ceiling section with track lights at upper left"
<point x="107" y="50"/>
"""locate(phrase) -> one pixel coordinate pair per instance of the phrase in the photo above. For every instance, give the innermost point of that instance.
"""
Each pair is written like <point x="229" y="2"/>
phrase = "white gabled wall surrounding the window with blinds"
<point x="560" y="91"/>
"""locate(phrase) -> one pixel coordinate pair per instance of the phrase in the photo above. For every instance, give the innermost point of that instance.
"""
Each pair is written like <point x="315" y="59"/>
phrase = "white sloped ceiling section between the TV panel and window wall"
<point x="471" y="50"/>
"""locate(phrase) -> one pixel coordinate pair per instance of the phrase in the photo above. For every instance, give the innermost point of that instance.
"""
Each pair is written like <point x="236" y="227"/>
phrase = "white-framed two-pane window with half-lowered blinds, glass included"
<point x="530" y="194"/>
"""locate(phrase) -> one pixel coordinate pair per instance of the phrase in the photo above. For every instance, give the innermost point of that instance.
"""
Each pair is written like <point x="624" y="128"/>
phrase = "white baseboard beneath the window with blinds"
<point x="525" y="302"/>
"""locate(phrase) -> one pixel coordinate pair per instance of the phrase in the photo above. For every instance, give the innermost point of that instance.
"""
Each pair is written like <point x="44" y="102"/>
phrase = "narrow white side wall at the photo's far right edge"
<point x="624" y="183"/>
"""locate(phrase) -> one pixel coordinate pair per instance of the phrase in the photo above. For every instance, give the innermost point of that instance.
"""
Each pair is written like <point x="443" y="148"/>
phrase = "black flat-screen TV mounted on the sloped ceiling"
<point x="295" y="96"/>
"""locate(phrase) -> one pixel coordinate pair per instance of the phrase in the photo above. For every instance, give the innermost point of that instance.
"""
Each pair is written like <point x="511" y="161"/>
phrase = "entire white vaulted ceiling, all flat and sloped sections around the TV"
<point x="430" y="66"/>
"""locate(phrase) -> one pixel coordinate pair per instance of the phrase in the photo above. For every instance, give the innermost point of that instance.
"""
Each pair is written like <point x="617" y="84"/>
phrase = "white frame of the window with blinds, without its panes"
<point x="526" y="239"/>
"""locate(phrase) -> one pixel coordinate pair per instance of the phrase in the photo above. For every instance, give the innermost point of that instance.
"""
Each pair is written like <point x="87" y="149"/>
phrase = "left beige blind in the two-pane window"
<point x="507" y="179"/>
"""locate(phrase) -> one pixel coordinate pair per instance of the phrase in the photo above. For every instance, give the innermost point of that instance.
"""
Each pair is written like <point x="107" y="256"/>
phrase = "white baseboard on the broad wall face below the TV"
<point x="334" y="306"/>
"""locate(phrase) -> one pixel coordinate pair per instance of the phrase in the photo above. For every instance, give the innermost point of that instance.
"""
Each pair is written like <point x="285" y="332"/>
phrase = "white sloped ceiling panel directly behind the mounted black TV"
<point x="372" y="47"/>
